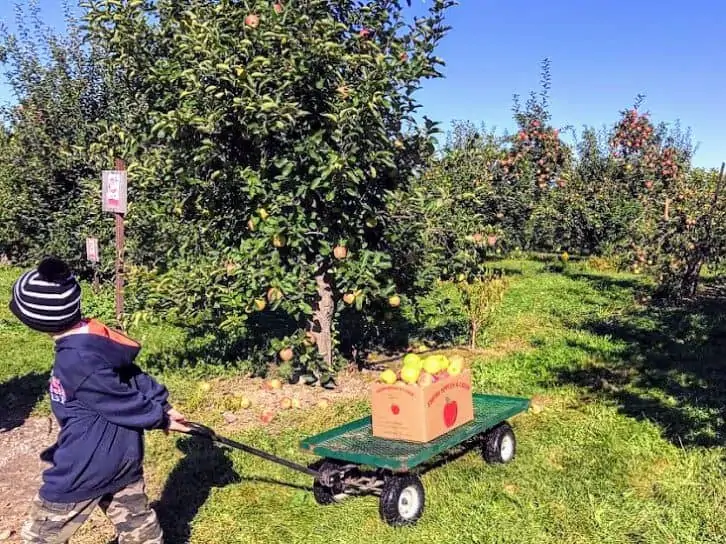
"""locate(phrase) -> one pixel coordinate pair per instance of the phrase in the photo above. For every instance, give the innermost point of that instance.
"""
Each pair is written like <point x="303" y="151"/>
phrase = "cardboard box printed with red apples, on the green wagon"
<point x="421" y="414"/>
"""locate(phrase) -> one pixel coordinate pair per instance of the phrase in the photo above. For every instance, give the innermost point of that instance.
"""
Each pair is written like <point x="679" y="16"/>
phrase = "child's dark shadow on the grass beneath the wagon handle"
<point x="204" y="466"/>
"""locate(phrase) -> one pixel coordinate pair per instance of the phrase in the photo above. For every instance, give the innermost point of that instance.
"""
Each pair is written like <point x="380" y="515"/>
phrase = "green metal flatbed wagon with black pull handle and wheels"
<point x="354" y="462"/>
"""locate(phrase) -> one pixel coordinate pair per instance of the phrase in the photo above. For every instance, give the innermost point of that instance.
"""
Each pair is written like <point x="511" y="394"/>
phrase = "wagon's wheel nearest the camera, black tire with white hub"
<point x="402" y="500"/>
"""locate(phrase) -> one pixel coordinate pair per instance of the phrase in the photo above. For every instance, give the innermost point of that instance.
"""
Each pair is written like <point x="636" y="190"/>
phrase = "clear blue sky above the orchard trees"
<point x="602" y="52"/>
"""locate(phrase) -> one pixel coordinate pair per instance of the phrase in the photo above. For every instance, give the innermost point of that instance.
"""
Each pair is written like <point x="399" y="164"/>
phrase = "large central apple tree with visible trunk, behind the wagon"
<point x="263" y="139"/>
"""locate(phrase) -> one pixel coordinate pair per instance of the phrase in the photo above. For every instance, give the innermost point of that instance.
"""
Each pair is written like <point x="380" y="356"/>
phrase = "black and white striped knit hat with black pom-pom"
<point x="48" y="298"/>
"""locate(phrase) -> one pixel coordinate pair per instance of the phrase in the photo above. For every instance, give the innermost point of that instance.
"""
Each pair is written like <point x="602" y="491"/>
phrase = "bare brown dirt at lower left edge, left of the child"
<point x="21" y="469"/>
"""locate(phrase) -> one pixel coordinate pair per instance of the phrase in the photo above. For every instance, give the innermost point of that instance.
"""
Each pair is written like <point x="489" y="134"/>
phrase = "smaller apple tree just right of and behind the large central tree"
<point x="444" y="224"/>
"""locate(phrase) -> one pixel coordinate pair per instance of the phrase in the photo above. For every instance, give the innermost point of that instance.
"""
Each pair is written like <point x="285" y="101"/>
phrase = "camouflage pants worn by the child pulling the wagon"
<point x="128" y="510"/>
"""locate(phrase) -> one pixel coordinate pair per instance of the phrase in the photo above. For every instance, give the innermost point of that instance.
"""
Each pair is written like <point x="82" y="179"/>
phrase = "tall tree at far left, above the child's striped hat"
<point x="48" y="180"/>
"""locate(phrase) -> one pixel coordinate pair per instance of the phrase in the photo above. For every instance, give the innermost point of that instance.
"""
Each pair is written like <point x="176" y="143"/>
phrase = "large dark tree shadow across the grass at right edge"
<point x="668" y="366"/>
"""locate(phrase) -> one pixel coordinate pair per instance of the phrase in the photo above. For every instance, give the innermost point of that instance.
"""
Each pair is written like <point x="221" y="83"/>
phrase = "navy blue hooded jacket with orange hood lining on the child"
<point x="103" y="403"/>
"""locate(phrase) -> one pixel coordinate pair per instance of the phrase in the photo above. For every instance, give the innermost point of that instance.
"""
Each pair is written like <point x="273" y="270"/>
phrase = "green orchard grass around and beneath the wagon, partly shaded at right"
<point x="628" y="449"/>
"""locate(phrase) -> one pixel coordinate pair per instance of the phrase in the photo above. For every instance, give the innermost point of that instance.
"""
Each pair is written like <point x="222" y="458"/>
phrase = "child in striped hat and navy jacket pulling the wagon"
<point x="103" y="403"/>
